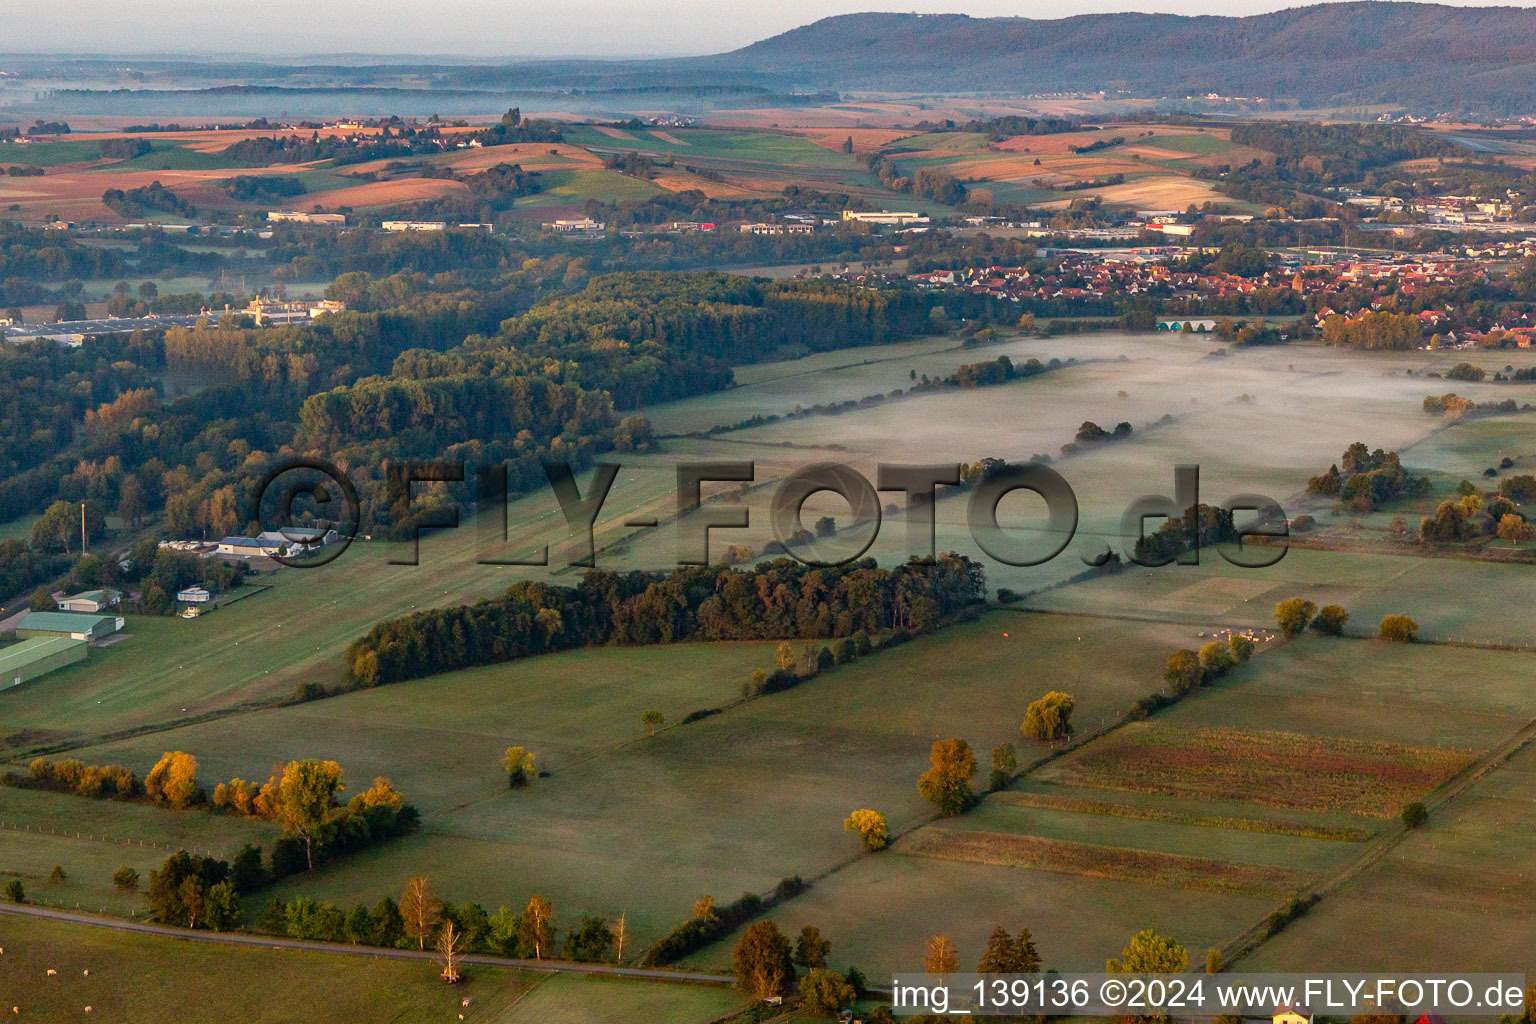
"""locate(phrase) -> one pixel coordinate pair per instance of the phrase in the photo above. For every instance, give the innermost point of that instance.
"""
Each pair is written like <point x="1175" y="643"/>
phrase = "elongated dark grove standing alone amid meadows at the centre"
<point x="781" y="600"/>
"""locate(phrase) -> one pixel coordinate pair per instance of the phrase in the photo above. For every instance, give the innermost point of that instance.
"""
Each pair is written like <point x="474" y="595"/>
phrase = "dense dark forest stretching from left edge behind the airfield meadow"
<point x="409" y="374"/>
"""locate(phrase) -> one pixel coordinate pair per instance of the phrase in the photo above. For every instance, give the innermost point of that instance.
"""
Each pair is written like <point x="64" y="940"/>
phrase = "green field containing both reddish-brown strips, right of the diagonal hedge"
<point x="1208" y="796"/>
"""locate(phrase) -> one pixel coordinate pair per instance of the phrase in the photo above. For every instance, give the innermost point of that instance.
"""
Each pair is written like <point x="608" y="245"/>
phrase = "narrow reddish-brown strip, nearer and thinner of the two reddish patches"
<point x="1008" y="850"/>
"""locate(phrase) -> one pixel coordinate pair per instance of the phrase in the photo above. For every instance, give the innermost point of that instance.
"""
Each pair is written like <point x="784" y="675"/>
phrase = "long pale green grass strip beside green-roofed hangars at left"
<point x="171" y="670"/>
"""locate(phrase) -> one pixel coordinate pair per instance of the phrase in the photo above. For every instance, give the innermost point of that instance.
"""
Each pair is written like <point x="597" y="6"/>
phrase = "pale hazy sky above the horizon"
<point x="512" y="28"/>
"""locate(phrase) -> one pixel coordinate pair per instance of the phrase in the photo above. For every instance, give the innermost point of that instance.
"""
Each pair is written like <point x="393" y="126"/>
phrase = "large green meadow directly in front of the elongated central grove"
<point x="644" y="825"/>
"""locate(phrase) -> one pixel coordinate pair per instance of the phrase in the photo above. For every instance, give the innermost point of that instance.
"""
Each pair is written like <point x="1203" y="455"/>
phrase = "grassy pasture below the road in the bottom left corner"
<point x="154" y="980"/>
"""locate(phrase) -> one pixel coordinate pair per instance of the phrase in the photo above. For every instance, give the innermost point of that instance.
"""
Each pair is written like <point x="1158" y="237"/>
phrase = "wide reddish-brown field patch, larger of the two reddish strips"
<point x="1282" y="770"/>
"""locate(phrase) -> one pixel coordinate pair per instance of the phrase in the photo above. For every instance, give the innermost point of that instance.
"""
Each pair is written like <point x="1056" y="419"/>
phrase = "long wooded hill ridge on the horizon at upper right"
<point x="1431" y="58"/>
